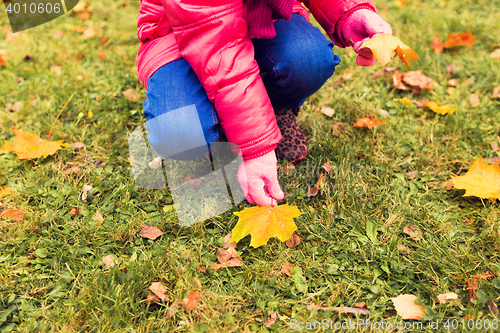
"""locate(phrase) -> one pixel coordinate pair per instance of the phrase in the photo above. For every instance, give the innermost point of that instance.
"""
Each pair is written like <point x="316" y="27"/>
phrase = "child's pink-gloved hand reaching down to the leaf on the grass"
<point x="254" y="174"/>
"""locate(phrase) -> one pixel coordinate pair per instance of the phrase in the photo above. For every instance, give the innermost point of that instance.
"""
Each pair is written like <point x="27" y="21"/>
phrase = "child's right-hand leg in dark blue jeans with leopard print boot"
<point x="296" y="63"/>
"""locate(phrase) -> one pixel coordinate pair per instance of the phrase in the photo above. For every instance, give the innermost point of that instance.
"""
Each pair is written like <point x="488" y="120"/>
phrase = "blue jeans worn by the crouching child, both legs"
<point x="181" y="120"/>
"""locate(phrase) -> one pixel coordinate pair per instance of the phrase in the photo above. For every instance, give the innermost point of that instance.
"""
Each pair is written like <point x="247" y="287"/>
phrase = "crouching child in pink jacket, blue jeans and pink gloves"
<point x="244" y="67"/>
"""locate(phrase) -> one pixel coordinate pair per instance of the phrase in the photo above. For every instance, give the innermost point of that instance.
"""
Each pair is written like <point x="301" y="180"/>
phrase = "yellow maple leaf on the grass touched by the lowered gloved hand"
<point x="265" y="222"/>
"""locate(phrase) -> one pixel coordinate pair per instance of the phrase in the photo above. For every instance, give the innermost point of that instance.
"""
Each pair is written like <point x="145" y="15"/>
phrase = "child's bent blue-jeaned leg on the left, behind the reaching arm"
<point x="181" y="120"/>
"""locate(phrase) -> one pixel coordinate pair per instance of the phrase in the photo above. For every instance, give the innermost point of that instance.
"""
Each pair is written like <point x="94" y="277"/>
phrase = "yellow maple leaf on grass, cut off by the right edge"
<point x="482" y="180"/>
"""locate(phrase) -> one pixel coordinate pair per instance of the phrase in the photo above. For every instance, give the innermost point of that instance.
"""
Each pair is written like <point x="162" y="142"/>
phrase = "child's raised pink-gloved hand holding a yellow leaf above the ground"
<point x="361" y="25"/>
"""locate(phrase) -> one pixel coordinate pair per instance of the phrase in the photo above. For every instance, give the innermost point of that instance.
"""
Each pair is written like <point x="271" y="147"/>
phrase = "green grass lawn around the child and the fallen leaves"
<point x="348" y="252"/>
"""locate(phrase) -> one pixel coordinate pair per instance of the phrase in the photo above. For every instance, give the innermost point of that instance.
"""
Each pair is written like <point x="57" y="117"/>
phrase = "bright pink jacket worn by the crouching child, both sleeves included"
<point x="212" y="35"/>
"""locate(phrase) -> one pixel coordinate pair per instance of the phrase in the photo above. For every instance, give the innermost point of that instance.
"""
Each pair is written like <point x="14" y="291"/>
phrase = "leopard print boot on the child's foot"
<point x="293" y="147"/>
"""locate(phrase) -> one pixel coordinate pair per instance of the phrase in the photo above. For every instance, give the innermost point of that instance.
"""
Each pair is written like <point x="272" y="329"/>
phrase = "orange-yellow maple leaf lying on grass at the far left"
<point x="29" y="146"/>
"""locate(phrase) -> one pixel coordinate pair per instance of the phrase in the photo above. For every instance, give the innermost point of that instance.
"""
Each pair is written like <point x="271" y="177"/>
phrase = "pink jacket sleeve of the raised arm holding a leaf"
<point x="331" y="15"/>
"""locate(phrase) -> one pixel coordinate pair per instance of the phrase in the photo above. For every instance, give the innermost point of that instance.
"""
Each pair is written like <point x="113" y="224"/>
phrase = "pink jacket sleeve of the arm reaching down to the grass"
<point x="213" y="37"/>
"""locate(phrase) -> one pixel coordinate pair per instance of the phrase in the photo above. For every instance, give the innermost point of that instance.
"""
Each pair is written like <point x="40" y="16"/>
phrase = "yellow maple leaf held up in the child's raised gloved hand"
<point x="383" y="47"/>
